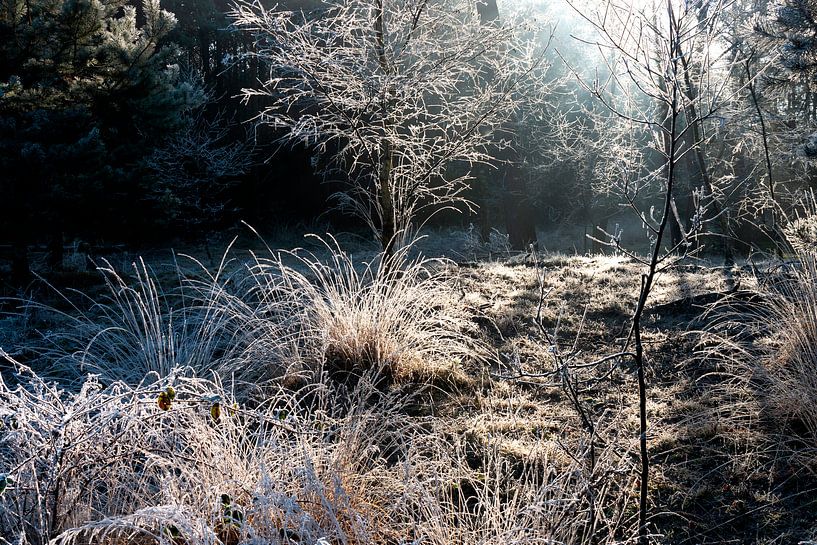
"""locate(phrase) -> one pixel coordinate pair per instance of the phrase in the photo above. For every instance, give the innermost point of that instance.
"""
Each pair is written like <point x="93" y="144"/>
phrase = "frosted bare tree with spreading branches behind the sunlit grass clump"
<point x="404" y="96"/>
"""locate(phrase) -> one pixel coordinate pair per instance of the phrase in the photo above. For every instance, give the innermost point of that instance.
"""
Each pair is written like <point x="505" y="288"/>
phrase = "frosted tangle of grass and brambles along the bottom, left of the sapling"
<point x="179" y="460"/>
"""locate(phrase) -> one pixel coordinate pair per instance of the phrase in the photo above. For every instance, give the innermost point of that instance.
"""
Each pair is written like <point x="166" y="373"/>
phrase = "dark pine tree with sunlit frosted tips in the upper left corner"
<point x="87" y="88"/>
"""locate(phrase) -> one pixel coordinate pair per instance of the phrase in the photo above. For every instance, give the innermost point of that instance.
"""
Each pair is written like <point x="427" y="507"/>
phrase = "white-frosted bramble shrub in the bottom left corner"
<point x="70" y="456"/>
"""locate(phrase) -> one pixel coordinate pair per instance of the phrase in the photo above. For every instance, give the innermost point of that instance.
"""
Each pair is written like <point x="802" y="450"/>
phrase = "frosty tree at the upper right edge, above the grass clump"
<point x="774" y="71"/>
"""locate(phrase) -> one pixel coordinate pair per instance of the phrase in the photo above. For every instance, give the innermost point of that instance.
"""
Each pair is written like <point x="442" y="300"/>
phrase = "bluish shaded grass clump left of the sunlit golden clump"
<point x="136" y="327"/>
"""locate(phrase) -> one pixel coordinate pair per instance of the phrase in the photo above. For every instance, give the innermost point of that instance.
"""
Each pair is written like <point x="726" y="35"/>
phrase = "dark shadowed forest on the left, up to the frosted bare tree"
<point x="138" y="141"/>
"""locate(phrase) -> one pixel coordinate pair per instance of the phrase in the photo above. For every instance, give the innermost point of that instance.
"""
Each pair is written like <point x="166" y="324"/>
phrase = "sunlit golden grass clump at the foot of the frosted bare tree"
<point x="398" y="315"/>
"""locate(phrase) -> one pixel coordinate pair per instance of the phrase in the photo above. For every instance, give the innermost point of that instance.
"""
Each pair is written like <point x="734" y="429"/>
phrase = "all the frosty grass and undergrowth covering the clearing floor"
<point x="321" y="398"/>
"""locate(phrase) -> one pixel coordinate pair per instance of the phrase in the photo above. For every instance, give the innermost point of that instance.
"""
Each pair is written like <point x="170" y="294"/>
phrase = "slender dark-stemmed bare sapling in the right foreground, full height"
<point x="656" y="83"/>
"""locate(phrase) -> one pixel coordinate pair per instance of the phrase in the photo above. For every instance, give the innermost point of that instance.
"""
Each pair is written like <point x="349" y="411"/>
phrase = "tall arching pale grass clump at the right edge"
<point x="764" y="343"/>
